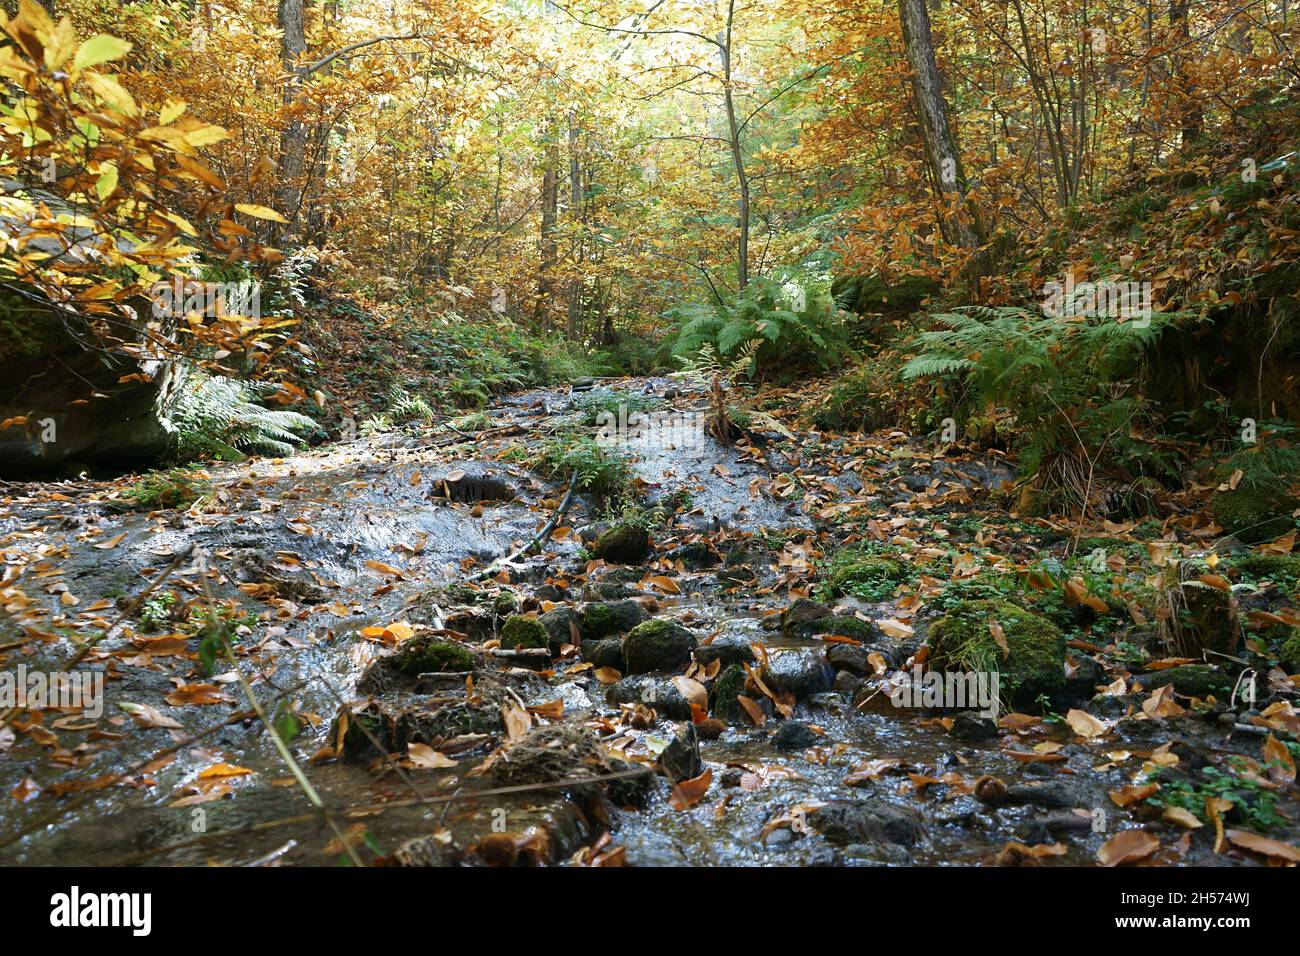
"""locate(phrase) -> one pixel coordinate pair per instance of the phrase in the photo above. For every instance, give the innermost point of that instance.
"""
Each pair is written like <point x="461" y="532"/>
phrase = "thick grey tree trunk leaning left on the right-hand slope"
<point x="942" y="153"/>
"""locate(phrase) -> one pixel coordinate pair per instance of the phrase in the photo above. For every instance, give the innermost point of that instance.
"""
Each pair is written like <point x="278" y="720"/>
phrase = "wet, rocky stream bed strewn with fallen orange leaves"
<point x="330" y="565"/>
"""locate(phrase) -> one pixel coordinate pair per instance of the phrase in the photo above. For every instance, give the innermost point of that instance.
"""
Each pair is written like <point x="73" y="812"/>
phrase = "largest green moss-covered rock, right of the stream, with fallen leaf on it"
<point x="961" y="641"/>
